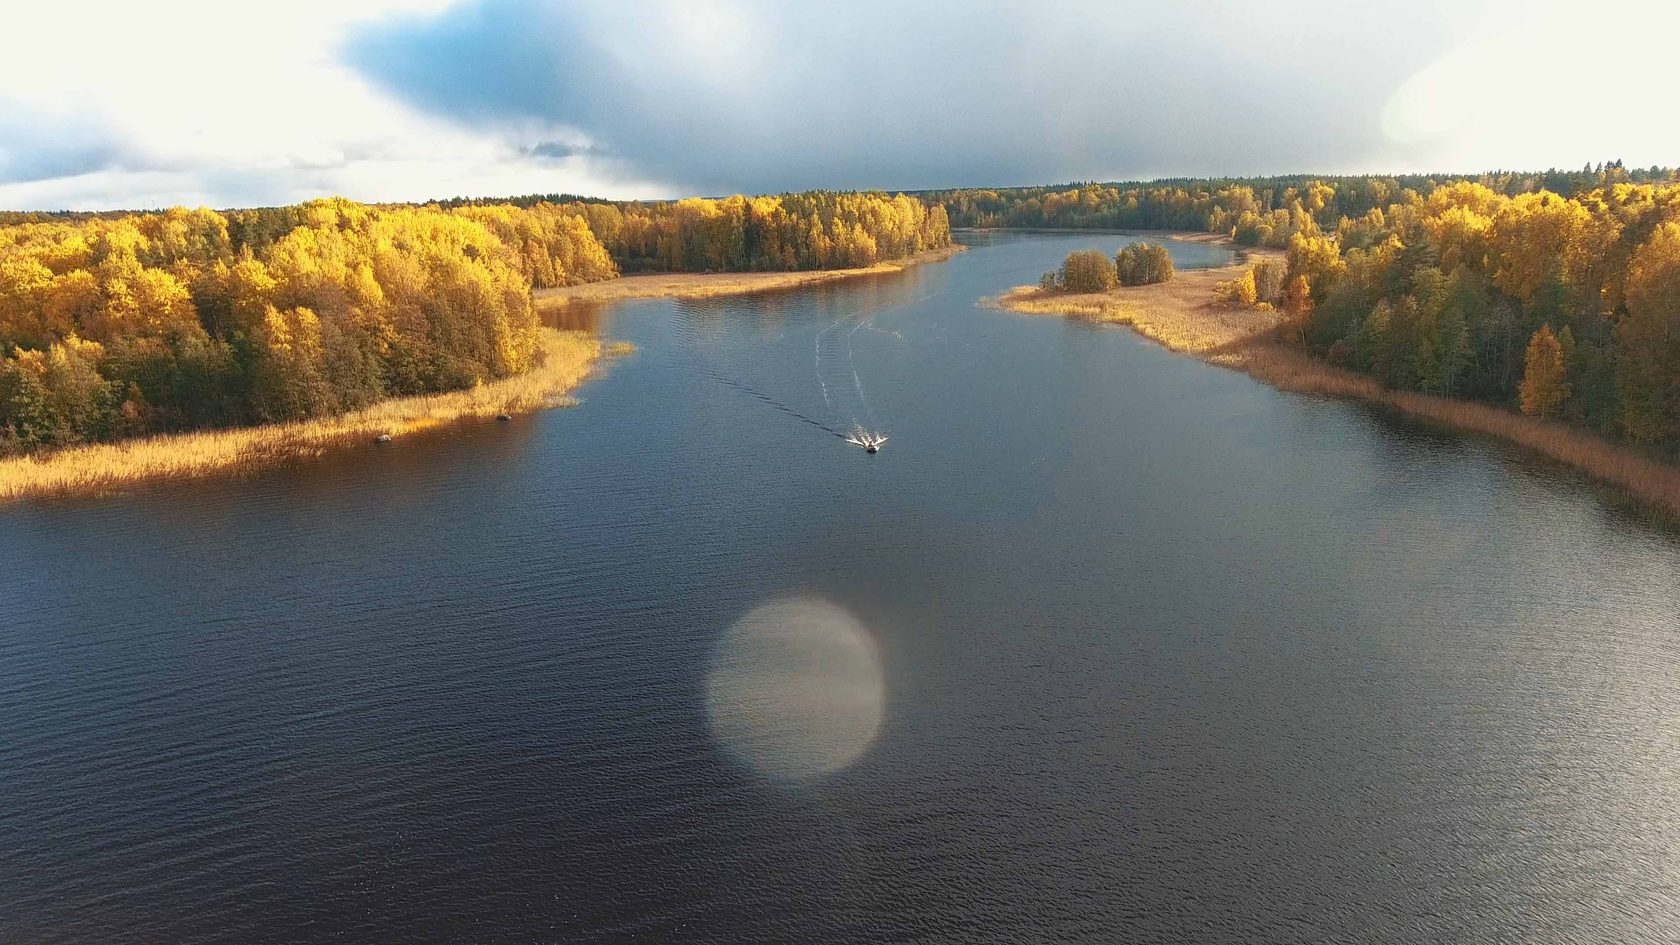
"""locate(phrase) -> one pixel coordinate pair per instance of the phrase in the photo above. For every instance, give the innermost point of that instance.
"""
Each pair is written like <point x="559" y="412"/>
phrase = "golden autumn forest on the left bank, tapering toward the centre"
<point x="118" y="325"/>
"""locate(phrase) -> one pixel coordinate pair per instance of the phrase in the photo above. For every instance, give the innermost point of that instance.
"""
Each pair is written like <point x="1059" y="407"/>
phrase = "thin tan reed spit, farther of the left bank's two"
<point x="713" y="285"/>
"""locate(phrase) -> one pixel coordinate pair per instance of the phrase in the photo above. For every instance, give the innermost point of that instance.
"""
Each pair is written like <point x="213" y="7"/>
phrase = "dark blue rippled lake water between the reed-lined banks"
<point x="1105" y="645"/>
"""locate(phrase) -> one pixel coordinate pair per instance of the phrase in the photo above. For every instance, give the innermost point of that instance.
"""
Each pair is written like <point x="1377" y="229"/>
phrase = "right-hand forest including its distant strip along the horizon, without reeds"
<point x="1553" y="293"/>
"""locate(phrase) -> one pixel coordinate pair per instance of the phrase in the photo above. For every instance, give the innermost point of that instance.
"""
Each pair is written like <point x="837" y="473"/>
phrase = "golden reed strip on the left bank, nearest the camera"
<point x="567" y="361"/>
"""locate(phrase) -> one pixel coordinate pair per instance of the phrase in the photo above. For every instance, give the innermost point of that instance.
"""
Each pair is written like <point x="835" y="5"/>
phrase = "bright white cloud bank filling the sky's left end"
<point x="201" y="102"/>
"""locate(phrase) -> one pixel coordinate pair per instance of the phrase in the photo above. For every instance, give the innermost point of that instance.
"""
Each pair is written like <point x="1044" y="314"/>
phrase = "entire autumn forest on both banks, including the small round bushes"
<point x="1557" y="293"/>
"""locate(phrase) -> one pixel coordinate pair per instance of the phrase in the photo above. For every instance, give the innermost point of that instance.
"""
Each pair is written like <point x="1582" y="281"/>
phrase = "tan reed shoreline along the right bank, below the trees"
<point x="1182" y="317"/>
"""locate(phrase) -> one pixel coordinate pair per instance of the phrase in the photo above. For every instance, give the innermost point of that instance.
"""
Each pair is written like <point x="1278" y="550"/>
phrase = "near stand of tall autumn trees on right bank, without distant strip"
<point x="1563" y="307"/>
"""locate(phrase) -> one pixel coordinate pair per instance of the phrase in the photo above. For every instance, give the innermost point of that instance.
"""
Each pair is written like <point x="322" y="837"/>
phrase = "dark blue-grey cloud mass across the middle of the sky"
<point x="764" y="97"/>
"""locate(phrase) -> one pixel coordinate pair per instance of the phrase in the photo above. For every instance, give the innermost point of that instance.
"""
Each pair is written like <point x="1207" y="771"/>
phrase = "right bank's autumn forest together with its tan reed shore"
<point x="1494" y="305"/>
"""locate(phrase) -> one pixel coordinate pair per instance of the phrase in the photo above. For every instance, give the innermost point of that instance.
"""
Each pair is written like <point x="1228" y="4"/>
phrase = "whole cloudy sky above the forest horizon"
<point x="137" y="105"/>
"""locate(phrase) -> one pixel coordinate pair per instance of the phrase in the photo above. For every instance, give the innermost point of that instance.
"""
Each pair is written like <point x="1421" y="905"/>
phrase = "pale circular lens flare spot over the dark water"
<point x="795" y="689"/>
